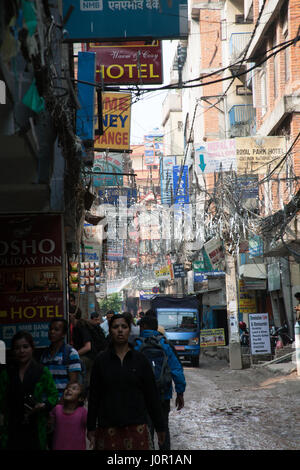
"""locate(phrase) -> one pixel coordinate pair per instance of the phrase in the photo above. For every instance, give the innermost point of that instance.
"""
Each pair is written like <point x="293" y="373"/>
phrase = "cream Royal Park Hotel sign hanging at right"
<point x="259" y="155"/>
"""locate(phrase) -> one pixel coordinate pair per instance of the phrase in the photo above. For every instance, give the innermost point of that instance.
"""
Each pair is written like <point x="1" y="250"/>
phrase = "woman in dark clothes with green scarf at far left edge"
<point x="27" y="394"/>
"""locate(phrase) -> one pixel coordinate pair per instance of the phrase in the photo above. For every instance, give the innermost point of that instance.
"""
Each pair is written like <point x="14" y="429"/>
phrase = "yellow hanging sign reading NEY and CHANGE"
<point x="116" y="115"/>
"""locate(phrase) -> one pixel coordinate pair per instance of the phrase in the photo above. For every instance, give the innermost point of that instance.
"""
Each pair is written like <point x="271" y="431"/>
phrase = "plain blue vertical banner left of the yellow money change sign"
<point x="86" y="95"/>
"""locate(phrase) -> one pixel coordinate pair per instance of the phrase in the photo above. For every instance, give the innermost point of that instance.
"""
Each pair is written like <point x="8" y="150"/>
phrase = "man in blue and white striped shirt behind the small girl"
<point x="62" y="360"/>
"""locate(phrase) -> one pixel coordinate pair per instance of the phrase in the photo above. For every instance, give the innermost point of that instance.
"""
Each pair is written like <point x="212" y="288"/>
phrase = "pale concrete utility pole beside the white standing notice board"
<point x="235" y="353"/>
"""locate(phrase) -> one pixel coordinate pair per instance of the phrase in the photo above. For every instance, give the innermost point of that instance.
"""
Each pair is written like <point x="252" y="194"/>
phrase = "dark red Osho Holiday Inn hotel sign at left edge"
<point x="31" y="275"/>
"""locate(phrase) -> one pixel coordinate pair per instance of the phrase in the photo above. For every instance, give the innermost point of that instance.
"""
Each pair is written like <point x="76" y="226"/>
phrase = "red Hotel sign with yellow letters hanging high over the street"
<point x="135" y="62"/>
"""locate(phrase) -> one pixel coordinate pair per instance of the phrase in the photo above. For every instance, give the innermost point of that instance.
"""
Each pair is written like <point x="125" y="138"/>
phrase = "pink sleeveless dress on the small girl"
<point x="70" y="429"/>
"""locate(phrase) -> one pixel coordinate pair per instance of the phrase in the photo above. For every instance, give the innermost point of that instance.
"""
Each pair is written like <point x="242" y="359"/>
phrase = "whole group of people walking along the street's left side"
<point x="99" y="390"/>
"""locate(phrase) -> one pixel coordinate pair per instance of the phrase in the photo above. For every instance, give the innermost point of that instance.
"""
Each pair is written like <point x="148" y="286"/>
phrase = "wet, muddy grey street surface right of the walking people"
<point x="251" y="409"/>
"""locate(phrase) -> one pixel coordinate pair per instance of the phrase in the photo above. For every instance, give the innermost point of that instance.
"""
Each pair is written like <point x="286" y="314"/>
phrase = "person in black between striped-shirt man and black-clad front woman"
<point x="82" y="342"/>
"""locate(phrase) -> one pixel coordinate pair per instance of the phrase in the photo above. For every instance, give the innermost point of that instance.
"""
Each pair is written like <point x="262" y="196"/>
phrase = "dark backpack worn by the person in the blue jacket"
<point x="158" y="359"/>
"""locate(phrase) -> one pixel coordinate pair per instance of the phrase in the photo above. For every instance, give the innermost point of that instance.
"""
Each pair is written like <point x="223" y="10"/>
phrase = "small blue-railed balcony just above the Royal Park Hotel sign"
<point x="242" y="120"/>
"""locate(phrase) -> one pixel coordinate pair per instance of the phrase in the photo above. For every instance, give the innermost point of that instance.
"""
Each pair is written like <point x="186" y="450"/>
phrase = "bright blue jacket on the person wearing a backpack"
<point x="174" y="363"/>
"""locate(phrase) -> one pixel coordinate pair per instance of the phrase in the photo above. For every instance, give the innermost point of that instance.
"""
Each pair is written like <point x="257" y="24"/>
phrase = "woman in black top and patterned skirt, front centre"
<point x="122" y="392"/>
